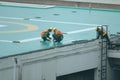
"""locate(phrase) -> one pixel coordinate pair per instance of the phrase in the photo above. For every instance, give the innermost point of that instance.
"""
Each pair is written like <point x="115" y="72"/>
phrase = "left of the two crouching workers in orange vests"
<point x="45" y="35"/>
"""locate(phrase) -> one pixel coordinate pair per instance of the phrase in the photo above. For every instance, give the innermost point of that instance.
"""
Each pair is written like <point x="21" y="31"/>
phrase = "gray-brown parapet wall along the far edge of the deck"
<point x="108" y="4"/>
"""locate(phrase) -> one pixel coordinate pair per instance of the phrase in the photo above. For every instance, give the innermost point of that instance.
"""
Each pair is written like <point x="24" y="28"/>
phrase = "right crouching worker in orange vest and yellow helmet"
<point x="57" y="35"/>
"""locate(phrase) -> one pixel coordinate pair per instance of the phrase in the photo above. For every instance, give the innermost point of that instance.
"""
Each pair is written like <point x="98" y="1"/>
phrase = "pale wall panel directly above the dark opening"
<point x="77" y="63"/>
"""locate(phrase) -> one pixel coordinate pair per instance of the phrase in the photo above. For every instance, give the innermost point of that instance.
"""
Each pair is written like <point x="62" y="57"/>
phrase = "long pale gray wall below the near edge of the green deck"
<point x="57" y="61"/>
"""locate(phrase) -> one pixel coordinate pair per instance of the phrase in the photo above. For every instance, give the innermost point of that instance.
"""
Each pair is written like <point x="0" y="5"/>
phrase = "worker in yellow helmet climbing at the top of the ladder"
<point x="102" y="33"/>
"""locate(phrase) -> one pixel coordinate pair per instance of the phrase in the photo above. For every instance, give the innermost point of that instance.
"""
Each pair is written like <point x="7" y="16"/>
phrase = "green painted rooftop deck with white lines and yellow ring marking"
<point x="24" y="24"/>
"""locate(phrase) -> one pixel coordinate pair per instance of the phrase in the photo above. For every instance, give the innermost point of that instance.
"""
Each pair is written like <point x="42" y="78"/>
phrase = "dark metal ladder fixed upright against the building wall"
<point x="104" y="51"/>
